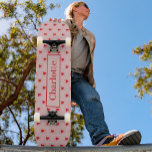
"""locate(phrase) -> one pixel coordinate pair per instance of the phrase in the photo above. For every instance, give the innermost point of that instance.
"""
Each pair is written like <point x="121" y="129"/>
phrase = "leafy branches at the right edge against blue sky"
<point x="143" y="75"/>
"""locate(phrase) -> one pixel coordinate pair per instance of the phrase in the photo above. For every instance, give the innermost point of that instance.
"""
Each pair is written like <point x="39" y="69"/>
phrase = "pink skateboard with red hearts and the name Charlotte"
<point x="53" y="85"/>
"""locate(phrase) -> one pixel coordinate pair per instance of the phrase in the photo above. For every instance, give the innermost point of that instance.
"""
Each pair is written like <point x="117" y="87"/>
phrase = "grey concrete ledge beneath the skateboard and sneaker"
<point x="138" y="148"/>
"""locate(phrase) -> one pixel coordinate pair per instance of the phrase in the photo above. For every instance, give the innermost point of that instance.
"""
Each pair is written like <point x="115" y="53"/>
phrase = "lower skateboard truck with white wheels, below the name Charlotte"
<point x="52" y="117"/>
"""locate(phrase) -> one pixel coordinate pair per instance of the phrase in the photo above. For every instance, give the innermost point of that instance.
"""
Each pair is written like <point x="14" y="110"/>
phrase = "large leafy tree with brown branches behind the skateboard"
<point x="17" y="72"/>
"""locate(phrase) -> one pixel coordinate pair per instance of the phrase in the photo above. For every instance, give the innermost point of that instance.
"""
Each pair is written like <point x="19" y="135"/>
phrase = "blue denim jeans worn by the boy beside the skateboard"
<point x="89" y="101"/>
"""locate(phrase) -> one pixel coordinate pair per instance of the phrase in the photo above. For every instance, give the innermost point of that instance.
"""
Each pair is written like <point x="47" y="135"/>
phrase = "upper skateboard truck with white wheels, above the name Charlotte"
<point x="54" y="43"/>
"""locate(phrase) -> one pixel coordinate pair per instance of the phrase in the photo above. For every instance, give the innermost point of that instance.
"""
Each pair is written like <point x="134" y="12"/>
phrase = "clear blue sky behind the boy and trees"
<point x="119" y="26"/>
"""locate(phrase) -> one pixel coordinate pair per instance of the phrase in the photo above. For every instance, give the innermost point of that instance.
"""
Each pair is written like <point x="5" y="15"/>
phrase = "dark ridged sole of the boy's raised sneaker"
<point x="131" y="138"/>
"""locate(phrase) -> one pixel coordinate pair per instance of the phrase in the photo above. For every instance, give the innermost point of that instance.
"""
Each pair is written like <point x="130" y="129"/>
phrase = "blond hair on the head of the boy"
<point x="69" y="9"/>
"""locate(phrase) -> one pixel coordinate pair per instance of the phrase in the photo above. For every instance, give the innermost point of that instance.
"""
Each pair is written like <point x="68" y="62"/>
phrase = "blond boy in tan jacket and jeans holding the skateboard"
<point x="83" y="90"/>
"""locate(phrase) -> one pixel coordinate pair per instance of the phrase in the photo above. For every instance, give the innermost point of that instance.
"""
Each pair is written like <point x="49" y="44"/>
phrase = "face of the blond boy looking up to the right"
<point x="82" y="10"/>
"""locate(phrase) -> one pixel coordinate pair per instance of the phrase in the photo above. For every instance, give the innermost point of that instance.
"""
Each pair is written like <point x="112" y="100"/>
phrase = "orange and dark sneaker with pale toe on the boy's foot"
<point x="132" y="137"/>
